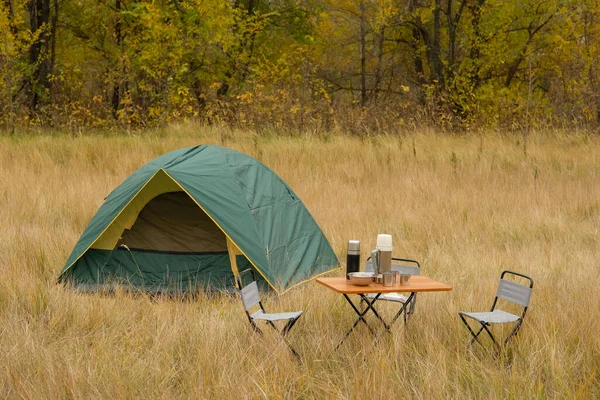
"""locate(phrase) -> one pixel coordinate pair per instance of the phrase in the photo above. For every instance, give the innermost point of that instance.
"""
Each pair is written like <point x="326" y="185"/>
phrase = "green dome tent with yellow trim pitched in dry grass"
<point x="189" y="219"/>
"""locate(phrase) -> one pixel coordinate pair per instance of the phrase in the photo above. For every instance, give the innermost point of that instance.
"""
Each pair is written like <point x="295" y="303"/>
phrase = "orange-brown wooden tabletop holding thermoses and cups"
<point x="415" y="284"/>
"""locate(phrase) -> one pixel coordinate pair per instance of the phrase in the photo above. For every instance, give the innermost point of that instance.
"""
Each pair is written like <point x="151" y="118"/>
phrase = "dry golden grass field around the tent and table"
<point x="467" y="207"/>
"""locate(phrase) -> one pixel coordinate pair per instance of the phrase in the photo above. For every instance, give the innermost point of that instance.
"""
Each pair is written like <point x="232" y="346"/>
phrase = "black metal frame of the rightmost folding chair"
<point x="509" y="292"/>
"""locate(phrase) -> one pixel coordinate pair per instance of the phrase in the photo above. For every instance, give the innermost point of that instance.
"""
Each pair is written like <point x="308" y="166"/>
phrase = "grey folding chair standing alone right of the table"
<point x="510" y="291"/>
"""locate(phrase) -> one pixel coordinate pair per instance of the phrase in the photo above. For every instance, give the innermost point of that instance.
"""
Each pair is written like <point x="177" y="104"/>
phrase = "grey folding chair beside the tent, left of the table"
<point x="251" y="300"/>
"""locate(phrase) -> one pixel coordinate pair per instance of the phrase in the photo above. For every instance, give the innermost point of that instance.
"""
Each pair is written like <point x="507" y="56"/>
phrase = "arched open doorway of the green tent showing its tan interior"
<point x="172" y="243"/>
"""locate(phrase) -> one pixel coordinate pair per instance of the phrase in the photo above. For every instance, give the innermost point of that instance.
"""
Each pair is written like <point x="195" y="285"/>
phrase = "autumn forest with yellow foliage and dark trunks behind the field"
<point x="357" y="66"/>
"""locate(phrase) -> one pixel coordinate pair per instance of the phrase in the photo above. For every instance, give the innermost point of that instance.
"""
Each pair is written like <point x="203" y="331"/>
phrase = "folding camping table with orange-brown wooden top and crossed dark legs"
<point x="417" y="283"/>
